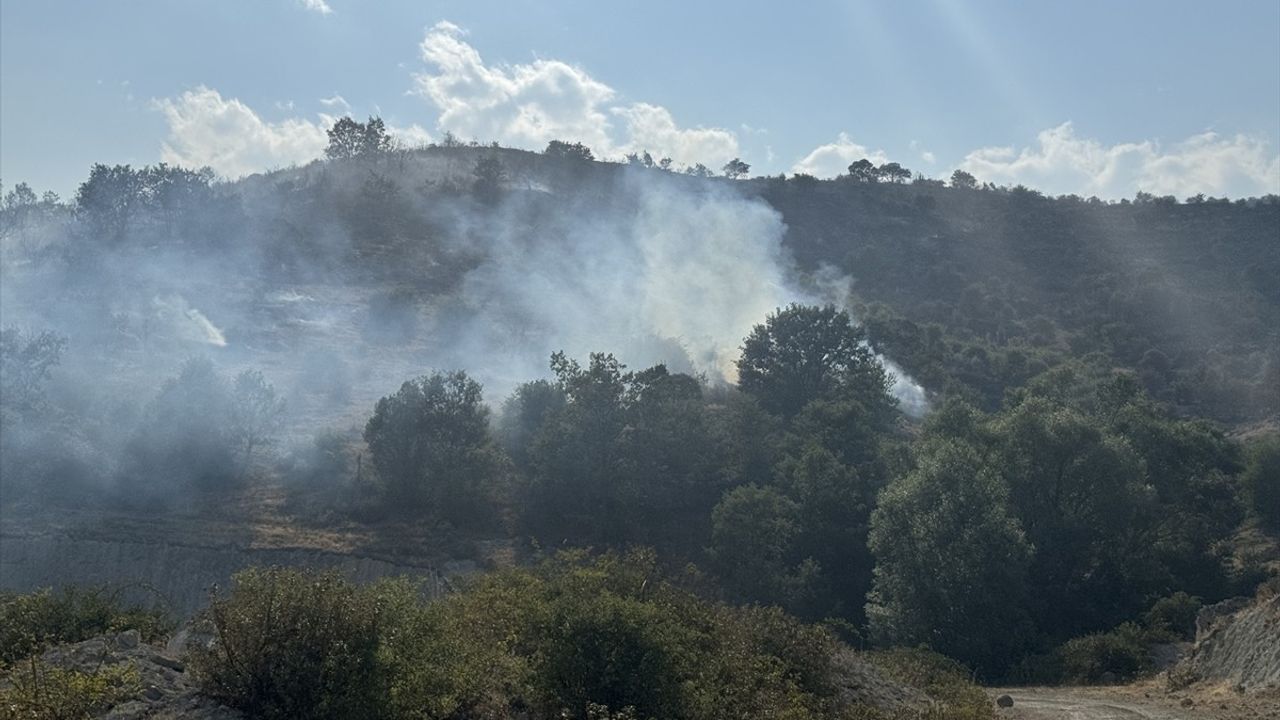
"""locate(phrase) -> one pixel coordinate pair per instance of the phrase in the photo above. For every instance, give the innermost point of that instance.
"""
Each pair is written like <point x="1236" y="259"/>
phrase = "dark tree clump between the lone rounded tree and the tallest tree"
<point x="629" y="457"/>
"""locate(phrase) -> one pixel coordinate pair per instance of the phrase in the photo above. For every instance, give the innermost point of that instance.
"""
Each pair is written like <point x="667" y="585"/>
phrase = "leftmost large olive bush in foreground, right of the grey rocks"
<point x="296" y="645"/>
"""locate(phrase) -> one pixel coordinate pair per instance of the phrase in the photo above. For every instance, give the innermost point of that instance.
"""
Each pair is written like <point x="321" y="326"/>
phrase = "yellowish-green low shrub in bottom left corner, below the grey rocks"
<point x="36" y="691"/>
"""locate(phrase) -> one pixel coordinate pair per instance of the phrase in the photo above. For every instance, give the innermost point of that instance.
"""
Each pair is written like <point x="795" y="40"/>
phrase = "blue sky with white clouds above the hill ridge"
<point x="1087" y="98"/>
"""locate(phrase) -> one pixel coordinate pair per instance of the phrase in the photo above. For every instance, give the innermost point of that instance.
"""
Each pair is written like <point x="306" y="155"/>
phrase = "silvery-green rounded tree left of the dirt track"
<point x="952" y="562"/>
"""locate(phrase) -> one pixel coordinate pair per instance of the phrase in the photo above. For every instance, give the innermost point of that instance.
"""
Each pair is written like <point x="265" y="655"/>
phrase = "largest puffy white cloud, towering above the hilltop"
<point x="527" y="106"/>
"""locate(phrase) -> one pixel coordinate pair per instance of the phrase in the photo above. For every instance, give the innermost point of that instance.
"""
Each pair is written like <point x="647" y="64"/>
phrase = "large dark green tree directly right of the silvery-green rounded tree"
<point x="1082" y="498"/>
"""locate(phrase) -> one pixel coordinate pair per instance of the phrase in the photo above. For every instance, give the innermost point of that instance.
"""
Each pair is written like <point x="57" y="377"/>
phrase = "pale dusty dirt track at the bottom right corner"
<point x="1141" y="701"/>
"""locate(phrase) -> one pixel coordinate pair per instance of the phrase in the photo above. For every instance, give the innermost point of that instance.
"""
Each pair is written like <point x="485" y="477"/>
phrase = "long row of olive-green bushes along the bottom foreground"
<point x="574" y="637"/>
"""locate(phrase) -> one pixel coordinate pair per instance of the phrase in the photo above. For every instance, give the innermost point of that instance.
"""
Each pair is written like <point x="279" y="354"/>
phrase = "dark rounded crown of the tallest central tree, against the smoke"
<point x="806" y="353"/>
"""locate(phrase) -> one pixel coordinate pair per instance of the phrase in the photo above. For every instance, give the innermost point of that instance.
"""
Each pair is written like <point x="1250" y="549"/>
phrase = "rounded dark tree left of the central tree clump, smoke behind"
<point x="432" y="446"/>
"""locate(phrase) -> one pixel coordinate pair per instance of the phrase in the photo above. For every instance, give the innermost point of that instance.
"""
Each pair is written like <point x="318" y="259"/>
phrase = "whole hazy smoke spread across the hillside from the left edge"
<point x="340" y="281"/>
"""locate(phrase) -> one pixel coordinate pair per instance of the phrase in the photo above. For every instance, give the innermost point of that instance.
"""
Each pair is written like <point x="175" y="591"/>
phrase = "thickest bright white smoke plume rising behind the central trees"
<point x="680" y="277"/>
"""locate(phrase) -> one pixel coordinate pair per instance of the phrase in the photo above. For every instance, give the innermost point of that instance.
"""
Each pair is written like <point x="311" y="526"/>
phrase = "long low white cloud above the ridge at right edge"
<point x="1063" y="163"/>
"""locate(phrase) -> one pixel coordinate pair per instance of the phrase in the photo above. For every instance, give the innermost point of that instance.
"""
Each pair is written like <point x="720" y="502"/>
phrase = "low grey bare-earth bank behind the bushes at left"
<point x="180" y="576"/>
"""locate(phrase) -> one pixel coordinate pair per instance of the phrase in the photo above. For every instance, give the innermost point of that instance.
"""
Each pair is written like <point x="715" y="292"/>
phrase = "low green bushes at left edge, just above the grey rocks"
<point x="33" y="622"/>
